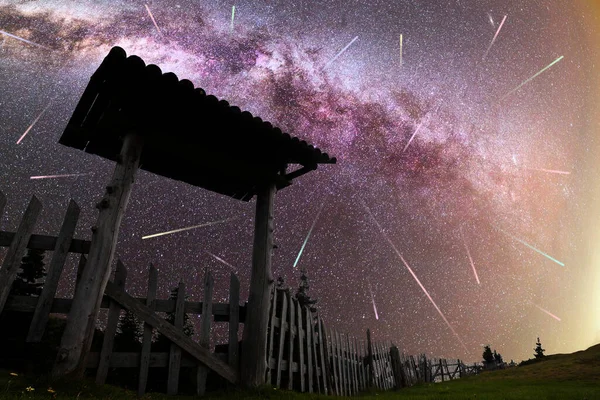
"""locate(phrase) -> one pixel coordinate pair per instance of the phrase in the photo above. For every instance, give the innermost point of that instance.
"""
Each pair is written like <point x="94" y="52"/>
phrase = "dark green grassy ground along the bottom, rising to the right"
<point x="563" y="376"/>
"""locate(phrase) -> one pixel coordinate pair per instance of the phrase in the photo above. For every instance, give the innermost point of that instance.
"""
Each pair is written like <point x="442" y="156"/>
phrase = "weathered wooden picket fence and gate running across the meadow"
<point x="302" y="354"/>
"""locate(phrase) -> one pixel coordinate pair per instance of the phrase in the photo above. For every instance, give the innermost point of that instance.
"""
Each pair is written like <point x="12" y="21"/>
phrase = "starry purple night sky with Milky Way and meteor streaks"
<point x="464" y="204"/>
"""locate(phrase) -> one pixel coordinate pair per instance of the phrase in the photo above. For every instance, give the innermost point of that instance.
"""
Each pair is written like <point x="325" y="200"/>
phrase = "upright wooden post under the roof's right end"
<point x="254" y="343"/>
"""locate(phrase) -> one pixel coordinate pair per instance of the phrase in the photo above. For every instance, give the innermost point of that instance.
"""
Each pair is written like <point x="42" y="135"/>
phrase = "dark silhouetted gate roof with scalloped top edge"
<point x="188" y="135"/>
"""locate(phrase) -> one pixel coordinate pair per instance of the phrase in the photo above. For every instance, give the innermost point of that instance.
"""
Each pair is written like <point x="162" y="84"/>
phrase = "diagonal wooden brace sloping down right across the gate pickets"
<point x="177" y="337"/>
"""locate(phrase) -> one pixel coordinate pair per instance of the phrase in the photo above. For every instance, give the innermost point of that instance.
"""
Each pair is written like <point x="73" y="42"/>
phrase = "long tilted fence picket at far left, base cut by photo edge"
<point x="12" y="259"/>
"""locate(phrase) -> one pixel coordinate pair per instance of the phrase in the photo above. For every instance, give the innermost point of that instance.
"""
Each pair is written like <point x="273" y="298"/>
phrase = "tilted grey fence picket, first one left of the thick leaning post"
<point x="59" y="256"/>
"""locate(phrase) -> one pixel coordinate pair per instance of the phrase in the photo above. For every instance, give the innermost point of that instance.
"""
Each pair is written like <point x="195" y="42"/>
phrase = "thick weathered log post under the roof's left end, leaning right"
<point x="81" y="322"/>
